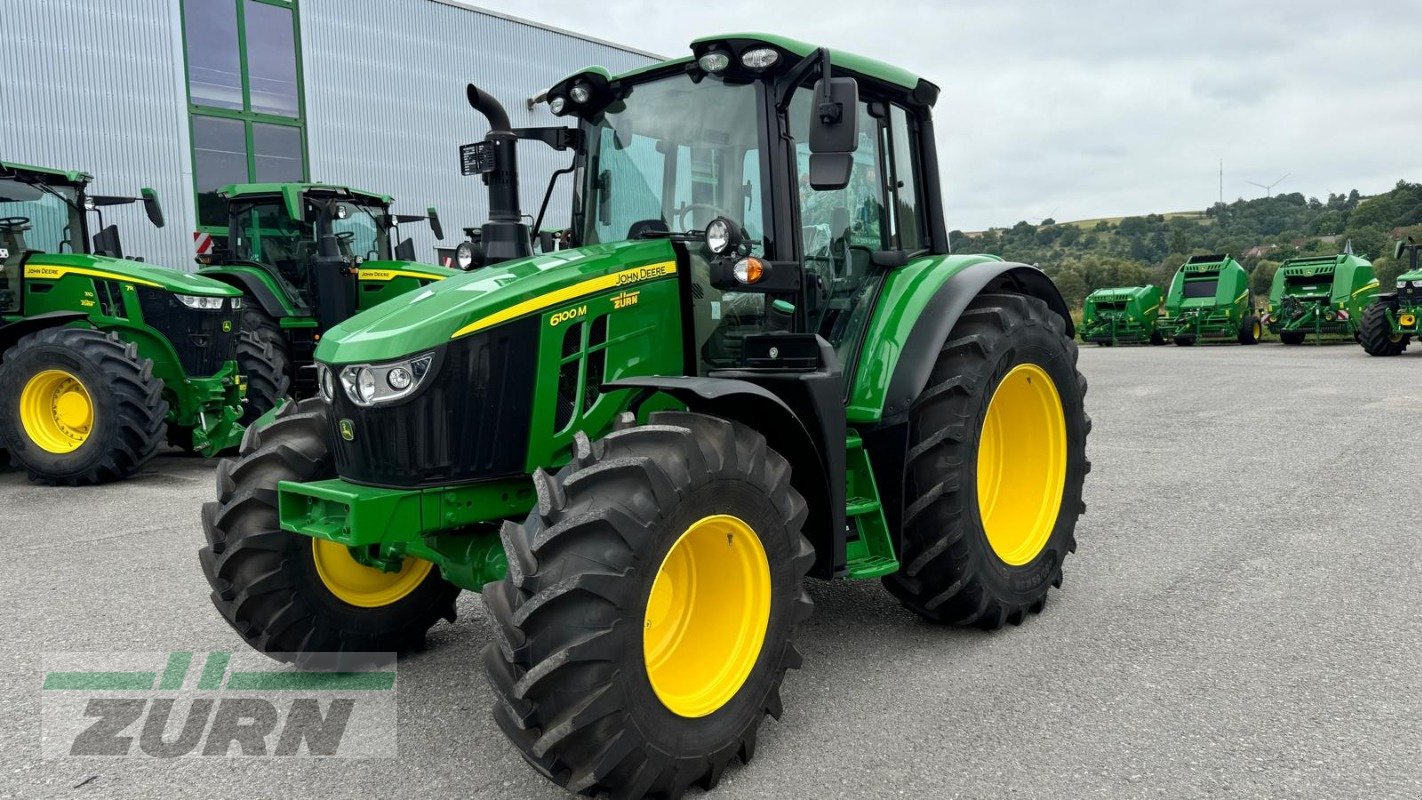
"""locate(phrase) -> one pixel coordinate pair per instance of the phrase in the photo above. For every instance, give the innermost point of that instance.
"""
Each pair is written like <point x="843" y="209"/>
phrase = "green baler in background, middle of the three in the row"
<point x="1211" y="299"/>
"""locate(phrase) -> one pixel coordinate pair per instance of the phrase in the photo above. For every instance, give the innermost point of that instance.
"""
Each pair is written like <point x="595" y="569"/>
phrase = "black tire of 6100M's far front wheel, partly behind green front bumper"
<point x="264" y="579"/>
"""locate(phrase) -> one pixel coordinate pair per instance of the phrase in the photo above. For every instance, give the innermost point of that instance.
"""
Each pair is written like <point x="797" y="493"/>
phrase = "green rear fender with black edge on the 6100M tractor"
<point x="918" y="308"/>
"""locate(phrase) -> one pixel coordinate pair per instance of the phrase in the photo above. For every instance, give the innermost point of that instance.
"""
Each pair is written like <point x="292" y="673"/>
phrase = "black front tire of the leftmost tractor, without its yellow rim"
<point x="129" y="406"/>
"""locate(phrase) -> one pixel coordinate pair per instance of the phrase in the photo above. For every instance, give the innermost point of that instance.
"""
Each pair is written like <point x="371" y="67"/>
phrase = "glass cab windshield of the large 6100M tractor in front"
<point x="673" y="156"/>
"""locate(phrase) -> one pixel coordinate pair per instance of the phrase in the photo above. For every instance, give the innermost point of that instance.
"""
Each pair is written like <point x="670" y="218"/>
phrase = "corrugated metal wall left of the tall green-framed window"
<point x="97" y="86"/>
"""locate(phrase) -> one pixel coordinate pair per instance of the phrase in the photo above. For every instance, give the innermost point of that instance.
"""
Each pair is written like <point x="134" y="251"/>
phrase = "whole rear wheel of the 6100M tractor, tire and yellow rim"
<point x="998" y="458"/>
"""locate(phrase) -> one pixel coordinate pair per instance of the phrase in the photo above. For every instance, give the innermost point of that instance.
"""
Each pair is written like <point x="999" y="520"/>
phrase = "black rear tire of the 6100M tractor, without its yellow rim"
<point x="951" y="572"/>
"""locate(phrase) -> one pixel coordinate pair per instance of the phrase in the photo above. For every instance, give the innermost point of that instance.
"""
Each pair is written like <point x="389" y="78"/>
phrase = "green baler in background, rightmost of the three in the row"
<point x="1325" y="295"/>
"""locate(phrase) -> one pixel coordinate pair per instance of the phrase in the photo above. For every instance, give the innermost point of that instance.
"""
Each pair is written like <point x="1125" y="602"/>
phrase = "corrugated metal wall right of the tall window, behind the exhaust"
<point x="386" y="104"/>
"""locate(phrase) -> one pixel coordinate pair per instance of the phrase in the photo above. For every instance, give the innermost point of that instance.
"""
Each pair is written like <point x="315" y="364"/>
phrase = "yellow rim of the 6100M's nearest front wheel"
<point x="707" y="615"/>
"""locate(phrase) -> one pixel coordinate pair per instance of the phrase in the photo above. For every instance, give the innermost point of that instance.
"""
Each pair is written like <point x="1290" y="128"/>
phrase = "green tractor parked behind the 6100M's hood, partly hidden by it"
<point x="306" y="256"/>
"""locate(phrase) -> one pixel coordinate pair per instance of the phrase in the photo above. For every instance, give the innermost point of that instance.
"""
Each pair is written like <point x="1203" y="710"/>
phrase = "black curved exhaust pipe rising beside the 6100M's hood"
<point x="506" y="237"/>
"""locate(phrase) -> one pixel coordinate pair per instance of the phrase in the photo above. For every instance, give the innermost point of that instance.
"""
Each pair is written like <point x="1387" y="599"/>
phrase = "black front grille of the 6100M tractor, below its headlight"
<point x="469" y="423"/>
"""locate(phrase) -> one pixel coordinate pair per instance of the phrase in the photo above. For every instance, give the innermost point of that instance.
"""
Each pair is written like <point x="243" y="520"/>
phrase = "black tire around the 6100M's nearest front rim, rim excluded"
<point x="568" y="669"/>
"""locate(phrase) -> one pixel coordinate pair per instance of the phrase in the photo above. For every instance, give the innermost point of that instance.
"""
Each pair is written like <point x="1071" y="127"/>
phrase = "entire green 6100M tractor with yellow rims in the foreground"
<point x="639" y="447"/>
